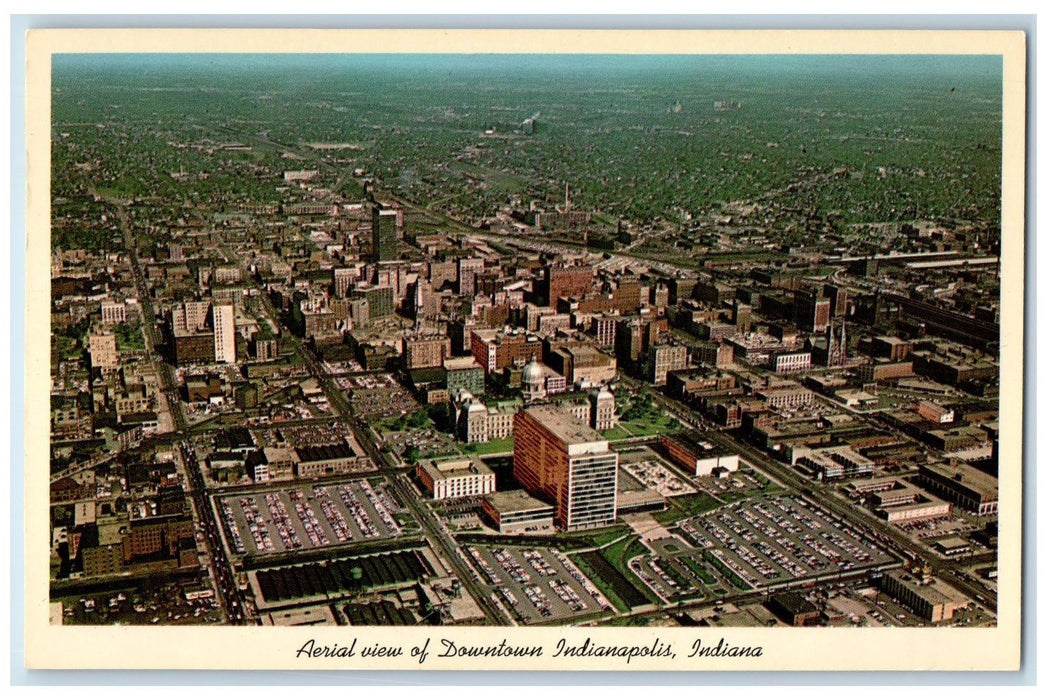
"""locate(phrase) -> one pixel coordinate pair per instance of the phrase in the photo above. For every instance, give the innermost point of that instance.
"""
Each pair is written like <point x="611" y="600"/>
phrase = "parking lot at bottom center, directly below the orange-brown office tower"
<point x="538" y="584"/>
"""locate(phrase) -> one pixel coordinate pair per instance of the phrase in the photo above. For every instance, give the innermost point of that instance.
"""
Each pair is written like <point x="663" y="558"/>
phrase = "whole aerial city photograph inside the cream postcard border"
<point x="525" y="341"/>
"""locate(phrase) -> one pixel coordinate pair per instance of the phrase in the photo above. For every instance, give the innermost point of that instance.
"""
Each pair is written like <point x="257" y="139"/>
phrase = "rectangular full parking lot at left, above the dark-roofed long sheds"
<point x="309" y="517"/>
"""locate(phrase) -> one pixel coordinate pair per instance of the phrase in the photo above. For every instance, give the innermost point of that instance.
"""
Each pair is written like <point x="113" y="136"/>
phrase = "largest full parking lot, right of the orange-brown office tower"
<point x="781" y="539"/>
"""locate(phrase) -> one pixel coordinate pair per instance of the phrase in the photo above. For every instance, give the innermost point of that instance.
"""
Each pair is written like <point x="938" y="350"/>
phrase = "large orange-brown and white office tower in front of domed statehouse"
<point x="569" y="463"/>
